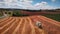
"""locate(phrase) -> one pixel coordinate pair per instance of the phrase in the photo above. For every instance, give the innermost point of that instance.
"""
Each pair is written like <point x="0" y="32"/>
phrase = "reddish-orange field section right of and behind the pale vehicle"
<point x="49" y="25"/>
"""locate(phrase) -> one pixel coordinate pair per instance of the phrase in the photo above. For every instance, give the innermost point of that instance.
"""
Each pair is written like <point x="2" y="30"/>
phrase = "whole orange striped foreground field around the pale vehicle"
<point x="26" y="25"/>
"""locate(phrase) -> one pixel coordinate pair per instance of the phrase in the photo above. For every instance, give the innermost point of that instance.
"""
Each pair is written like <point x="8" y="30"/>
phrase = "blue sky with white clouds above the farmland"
<point x="30" y="4"/>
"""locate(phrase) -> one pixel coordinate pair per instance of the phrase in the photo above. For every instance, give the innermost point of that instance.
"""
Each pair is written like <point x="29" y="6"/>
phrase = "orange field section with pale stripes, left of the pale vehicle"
<point x="19" y="25"/>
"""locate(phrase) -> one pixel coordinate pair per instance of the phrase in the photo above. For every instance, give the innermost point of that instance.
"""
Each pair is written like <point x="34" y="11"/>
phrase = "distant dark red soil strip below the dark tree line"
<point x="38" y="13"/>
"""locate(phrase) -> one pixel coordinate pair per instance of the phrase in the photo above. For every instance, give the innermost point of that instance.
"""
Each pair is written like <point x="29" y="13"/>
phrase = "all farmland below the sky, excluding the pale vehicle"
<point x="17" y="21"/>
